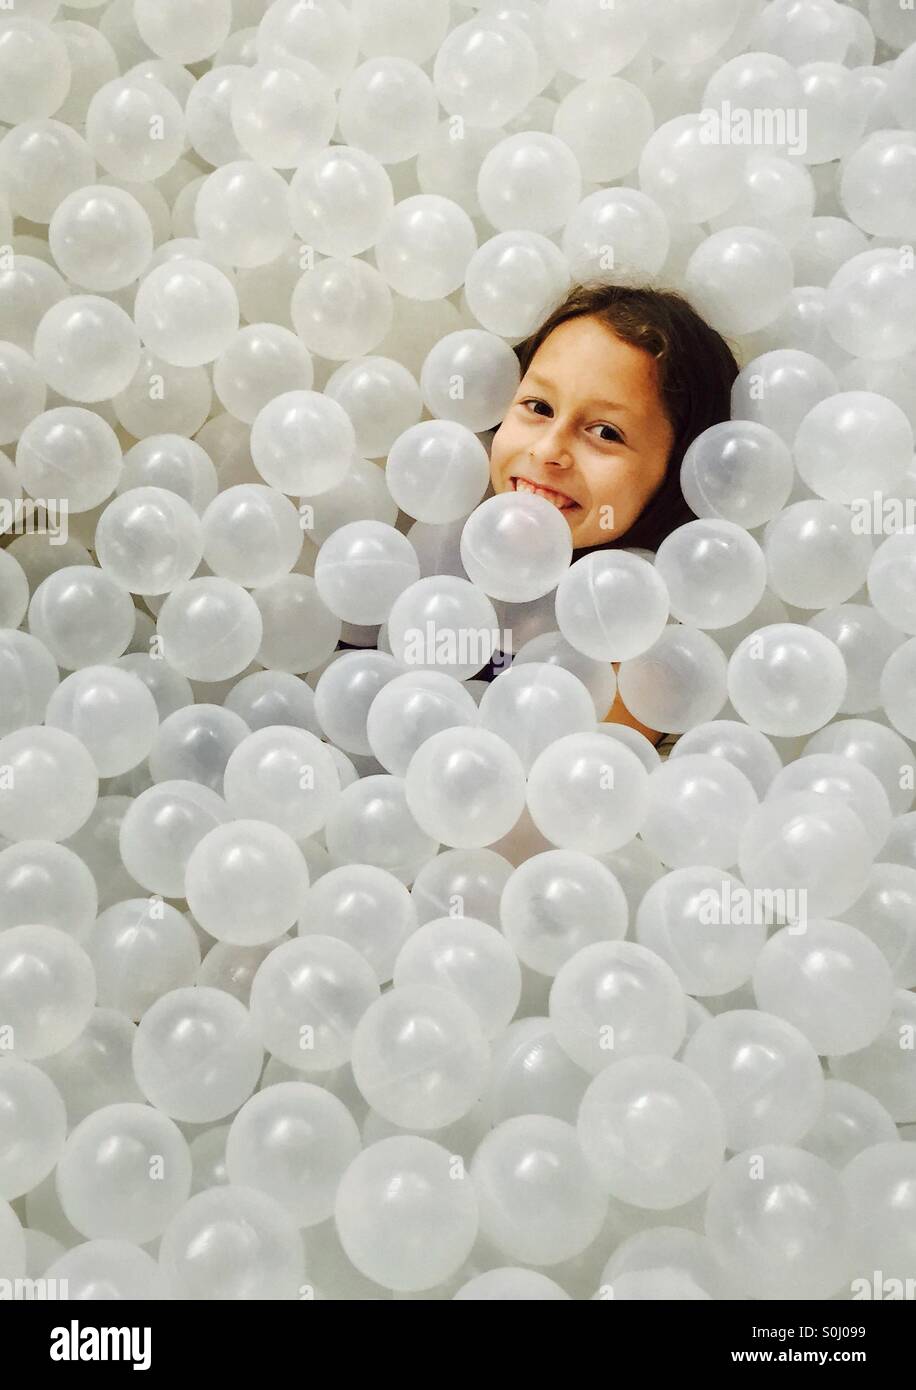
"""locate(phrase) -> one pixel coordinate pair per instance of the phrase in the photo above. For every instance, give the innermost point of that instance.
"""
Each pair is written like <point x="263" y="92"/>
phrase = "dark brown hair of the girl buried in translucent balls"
<point x="697" y="369"/>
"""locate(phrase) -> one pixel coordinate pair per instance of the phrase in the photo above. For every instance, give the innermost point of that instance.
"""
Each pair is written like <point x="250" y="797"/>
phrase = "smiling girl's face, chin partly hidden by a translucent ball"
<point x="590" y="425"/>
